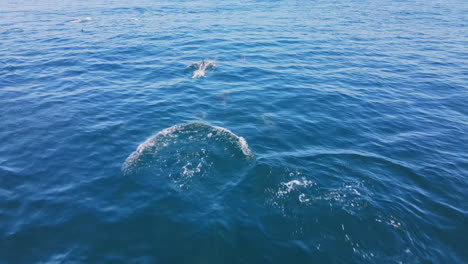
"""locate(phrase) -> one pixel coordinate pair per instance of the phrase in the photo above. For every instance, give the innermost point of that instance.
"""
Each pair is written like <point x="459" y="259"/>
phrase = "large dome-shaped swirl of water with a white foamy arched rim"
<point x="196" y="157"/>
